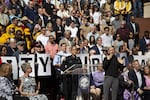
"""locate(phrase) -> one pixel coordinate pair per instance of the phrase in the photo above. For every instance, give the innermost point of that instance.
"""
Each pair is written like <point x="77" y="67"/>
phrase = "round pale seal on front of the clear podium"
<point x="84" y="82"/>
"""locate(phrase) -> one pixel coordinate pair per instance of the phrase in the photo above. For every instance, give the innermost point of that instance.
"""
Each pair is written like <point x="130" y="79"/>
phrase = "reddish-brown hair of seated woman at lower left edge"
<point x="5" y="69"/>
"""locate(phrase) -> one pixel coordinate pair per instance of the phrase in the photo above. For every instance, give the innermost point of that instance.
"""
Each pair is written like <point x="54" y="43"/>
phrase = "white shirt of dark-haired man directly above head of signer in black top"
<point x="107" y="40"/>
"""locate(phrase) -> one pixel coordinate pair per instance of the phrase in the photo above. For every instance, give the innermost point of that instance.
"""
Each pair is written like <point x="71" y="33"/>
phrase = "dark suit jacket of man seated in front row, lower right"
<point x="132" y="76"/>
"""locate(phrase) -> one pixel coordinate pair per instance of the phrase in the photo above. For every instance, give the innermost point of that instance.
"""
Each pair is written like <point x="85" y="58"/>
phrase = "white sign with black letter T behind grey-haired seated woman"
<point x="30" y="58"/>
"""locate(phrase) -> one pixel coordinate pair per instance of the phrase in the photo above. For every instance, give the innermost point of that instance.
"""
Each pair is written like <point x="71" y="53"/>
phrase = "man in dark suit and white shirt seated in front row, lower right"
<point x="137" y="76"/>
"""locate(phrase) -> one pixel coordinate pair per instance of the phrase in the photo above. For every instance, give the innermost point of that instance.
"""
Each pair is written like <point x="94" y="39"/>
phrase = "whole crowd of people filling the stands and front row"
<point x="64" y="28"/>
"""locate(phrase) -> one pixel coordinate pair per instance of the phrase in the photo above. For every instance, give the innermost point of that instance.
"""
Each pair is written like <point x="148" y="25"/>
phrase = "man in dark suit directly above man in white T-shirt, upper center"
<point x="73" y="18"/>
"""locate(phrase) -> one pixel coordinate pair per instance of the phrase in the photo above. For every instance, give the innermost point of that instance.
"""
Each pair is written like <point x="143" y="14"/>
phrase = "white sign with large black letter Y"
<point x="44" y="65"/>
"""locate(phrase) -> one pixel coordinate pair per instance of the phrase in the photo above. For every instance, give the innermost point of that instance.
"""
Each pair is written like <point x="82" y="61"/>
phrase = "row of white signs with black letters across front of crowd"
<point x="44" y="63"/>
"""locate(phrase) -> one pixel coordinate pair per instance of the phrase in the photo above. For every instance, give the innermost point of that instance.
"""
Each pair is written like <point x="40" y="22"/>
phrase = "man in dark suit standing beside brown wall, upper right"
<point x="134" y="28"/>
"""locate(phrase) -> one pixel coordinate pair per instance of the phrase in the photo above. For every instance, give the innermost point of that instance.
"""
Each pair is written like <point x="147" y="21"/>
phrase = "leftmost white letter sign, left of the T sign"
<point x="13" y="61"/>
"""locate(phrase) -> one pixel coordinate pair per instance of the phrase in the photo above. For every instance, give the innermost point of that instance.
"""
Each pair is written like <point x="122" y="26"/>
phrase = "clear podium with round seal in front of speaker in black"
<point x="77" y="82"/>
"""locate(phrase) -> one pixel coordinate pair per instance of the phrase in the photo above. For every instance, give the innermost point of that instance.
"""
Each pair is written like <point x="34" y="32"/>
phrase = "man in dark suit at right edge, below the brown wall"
<point x="144" y="42"/>
